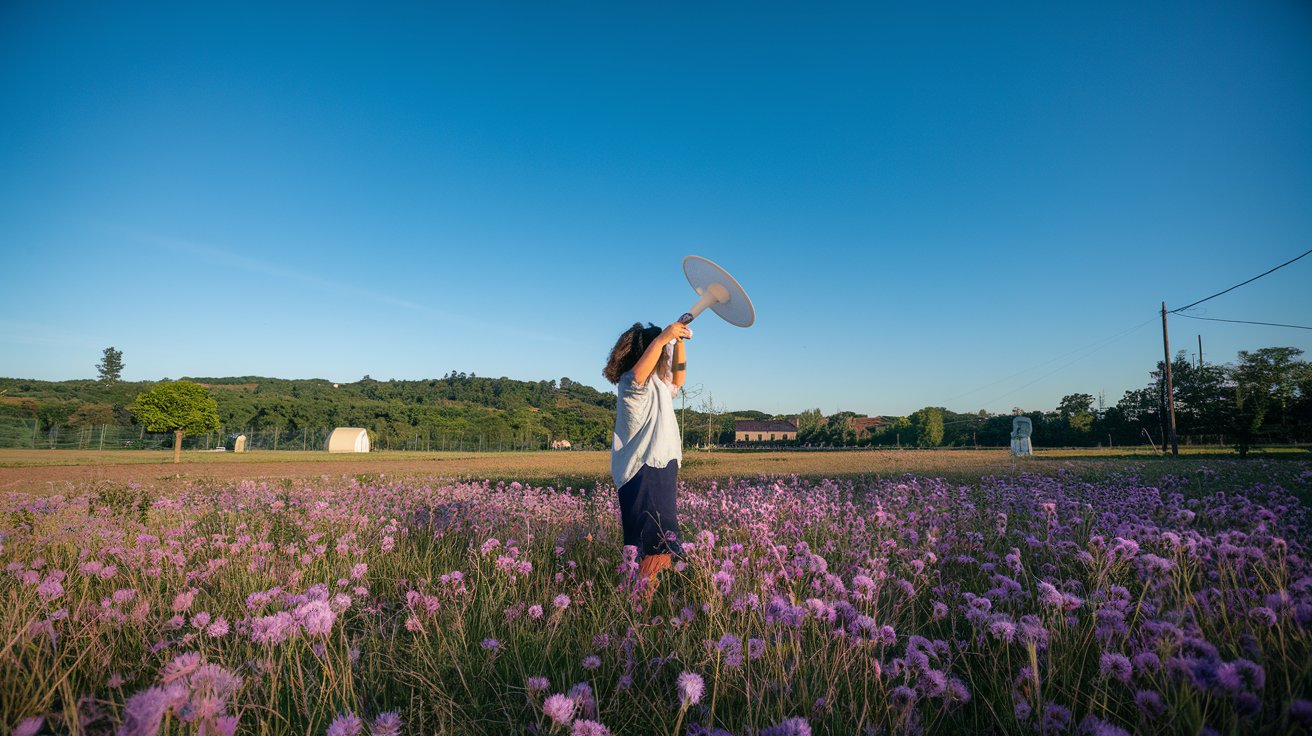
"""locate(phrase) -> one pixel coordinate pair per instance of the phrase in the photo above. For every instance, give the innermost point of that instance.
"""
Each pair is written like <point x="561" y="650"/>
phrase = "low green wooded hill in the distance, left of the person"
<point x="494" y="411"/>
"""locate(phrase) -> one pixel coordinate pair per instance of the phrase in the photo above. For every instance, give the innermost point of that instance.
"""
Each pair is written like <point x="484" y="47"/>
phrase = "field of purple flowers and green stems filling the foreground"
<point x="1105" y="603"/>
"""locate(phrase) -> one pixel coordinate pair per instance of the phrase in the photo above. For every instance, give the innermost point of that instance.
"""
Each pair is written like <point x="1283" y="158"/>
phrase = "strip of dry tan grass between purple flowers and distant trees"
<point x="41" y="469"/>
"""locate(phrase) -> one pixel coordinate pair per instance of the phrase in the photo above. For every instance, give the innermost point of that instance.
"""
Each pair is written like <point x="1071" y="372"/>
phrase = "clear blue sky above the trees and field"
<point x="956" y="205"/>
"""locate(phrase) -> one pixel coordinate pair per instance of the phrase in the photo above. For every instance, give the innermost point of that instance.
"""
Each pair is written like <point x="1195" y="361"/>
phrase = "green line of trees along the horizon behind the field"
<point x="1263" y="398"/>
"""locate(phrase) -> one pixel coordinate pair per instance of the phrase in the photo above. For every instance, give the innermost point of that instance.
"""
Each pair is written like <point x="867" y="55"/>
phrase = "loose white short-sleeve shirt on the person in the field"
<point x="646" y="428"/>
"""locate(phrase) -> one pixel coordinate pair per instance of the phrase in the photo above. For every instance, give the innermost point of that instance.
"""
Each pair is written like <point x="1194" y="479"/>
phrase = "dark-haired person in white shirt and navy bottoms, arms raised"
<point x="649" y="365"/>
